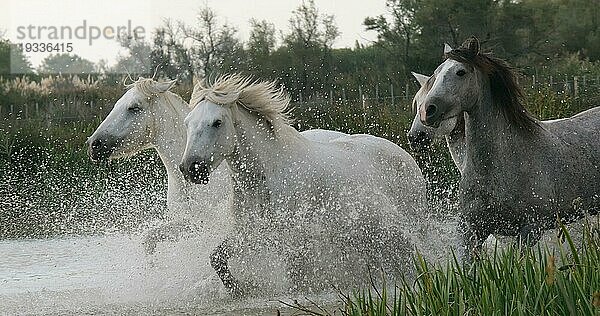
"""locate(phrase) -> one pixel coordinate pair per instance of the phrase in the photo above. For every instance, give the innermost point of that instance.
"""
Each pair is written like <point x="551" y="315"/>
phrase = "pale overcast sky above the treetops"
<point x="101" y="17"/>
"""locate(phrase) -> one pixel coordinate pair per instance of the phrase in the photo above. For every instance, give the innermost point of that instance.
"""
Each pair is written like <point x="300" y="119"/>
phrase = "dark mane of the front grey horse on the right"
<point x="506" y="92"/>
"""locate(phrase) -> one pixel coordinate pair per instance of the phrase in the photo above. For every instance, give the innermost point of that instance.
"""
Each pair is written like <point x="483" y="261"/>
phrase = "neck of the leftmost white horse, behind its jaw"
<point x="170" y="141"/>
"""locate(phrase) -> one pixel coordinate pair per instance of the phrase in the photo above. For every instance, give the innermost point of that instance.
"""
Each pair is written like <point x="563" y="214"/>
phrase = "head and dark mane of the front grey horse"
<point x="465" y="81"/>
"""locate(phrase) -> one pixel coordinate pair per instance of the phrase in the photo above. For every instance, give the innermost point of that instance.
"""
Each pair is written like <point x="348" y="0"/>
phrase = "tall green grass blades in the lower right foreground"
<point x="509" y="281"/>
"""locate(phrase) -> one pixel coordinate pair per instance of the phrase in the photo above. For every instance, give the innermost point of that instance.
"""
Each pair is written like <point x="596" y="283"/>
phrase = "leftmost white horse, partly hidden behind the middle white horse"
<point x="148" y="115"/>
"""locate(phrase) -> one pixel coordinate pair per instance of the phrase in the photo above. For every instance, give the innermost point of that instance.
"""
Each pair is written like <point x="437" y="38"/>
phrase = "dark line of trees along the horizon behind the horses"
<point x="542" y="37"/>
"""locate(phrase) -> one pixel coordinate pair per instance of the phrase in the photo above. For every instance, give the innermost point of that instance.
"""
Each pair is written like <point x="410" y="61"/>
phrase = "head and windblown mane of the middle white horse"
<point x="216" y="121"/>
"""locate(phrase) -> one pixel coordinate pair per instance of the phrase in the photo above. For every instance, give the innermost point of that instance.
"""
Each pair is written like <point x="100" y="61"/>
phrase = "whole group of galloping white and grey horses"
<point x="332" y="208"/>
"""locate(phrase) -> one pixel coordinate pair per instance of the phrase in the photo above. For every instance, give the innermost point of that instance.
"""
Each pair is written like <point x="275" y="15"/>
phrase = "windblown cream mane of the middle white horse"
<point x="262" y="97"/>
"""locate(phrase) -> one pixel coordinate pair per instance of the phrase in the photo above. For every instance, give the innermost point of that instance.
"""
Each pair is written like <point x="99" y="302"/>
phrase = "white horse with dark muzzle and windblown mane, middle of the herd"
<point x="335" y="209"/>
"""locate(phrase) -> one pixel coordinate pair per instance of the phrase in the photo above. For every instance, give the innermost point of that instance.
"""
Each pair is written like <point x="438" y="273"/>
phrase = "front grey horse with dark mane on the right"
<point x="519" y="174"/>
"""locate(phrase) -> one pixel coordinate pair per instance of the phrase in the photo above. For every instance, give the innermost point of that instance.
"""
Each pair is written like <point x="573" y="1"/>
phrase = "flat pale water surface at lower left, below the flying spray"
<point x="111" y="275"/>
